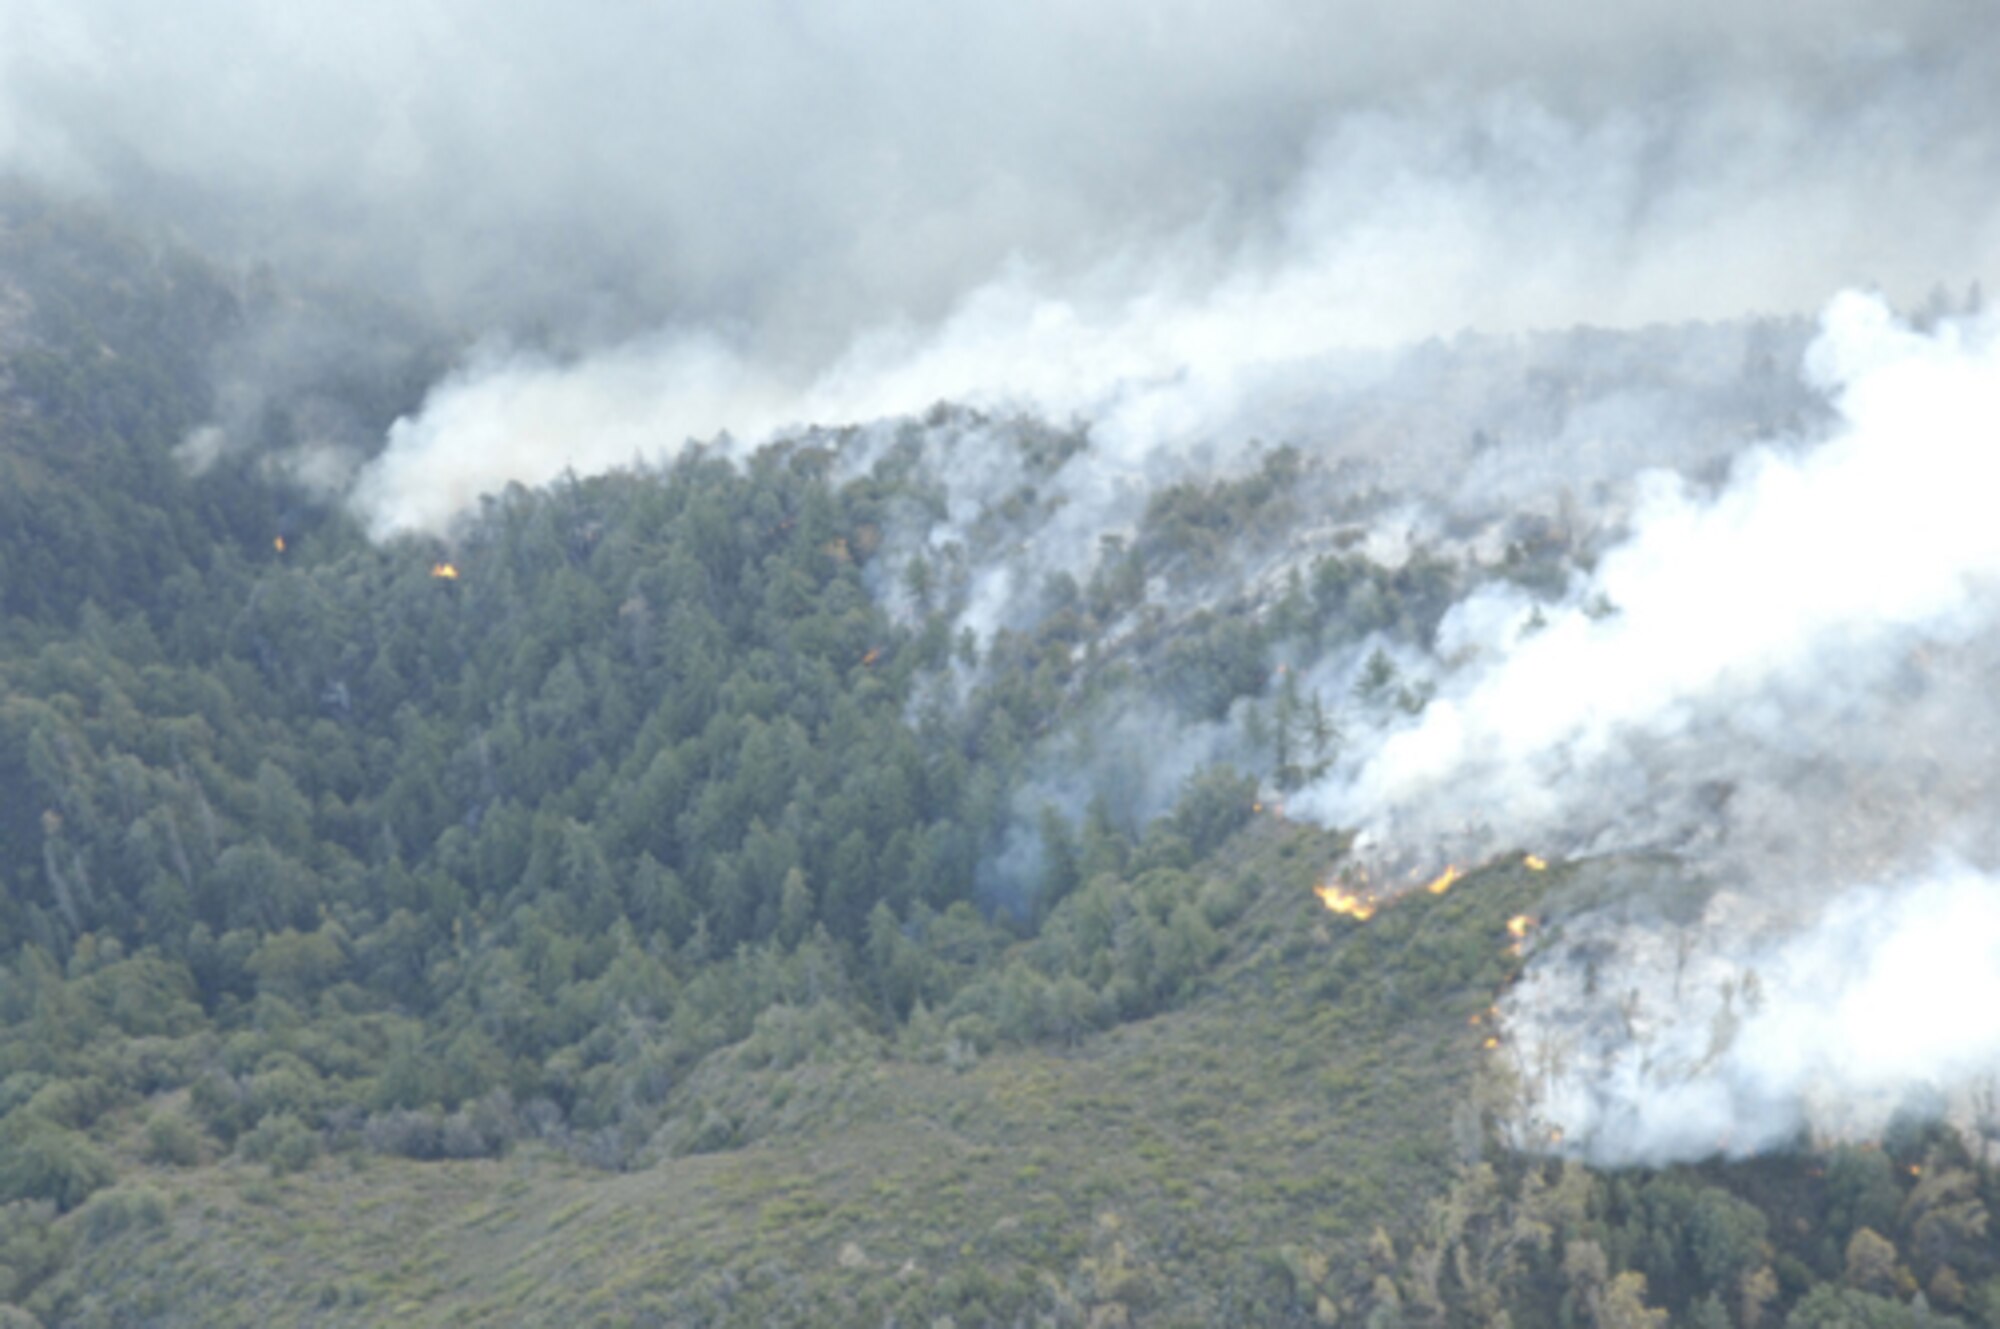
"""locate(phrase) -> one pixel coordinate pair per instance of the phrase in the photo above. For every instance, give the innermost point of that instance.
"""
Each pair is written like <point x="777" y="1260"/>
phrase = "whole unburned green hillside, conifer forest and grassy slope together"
<point x="655" y="906"/>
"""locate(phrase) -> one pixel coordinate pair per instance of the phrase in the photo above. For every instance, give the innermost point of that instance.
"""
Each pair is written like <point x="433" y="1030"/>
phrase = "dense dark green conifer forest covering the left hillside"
<point x="411" y="842"/>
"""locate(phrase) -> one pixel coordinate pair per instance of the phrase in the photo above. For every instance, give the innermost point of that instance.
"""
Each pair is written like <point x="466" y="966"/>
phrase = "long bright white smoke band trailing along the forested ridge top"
<point x="1499" y="215"/>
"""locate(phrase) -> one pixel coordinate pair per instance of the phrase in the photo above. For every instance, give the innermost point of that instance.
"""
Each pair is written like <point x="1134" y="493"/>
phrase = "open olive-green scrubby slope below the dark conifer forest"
<point x="1217" y="1162"/>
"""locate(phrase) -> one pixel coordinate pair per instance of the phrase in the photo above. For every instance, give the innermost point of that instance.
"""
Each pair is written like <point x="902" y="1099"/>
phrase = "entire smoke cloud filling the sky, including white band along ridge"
<point x="765" y="215"/>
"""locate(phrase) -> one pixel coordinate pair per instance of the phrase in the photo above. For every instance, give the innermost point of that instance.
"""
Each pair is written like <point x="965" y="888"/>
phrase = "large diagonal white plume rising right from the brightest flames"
<point x="1815" y="567"/>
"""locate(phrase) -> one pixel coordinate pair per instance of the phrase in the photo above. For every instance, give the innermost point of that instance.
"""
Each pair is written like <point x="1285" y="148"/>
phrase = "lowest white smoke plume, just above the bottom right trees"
<point x="1755" y="1028"/>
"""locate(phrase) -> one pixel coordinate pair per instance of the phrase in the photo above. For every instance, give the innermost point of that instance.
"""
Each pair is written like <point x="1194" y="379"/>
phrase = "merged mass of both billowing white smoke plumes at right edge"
<point x="1789" y="682"/>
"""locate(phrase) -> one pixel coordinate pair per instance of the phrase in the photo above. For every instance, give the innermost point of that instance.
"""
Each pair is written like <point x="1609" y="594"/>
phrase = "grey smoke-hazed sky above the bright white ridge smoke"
<point x="793" y="173"/>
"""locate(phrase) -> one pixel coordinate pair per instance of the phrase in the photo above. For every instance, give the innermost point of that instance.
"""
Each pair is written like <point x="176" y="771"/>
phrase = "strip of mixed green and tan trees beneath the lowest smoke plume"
<point x="1725" y="1244"/>
